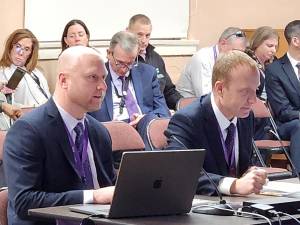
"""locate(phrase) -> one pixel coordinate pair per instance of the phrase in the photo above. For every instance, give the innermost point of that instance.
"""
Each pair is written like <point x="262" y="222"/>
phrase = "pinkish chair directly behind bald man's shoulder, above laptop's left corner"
<point x="124" y="138"/>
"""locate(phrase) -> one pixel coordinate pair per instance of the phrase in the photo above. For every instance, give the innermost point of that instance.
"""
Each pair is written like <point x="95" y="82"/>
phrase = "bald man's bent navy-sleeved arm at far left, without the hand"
<point x="24" y="162"/>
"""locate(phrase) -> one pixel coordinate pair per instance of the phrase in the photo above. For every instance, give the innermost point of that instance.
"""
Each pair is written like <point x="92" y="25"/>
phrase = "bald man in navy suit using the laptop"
<point x="58" y="155"/>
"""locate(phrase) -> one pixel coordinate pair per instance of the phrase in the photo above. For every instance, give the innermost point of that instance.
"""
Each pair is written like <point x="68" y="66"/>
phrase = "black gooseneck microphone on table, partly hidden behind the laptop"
<point x="222" y="208"/>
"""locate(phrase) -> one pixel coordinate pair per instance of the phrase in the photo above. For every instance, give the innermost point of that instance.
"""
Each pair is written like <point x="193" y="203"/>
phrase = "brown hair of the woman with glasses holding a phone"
<point x="13" y="38"/>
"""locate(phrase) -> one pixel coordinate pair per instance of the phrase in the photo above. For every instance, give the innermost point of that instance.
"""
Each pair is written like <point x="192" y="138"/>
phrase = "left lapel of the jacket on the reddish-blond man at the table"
<point x="212" y="129"/>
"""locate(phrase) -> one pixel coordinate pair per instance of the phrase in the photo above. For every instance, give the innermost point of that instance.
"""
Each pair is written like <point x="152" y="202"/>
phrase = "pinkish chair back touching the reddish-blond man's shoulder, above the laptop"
<point x="155" y="133"/>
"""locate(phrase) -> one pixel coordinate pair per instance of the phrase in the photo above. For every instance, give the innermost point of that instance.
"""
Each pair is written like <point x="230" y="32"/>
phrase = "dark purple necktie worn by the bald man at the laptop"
<point x="79" y="143"/>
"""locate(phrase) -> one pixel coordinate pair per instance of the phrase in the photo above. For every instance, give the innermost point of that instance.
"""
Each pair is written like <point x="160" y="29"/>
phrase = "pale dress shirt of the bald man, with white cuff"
<point x="71" y="123"/>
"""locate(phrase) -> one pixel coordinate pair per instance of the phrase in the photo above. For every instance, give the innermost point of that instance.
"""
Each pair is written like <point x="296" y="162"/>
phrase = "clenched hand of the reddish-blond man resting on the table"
<point x="251" y="182"/>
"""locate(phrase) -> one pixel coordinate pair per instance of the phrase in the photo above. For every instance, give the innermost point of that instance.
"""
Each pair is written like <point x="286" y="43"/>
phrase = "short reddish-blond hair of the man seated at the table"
<point x="226" y="62"/>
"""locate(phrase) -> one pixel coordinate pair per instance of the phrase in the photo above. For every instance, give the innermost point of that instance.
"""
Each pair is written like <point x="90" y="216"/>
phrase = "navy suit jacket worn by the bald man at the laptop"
<point x="39" y="162"/>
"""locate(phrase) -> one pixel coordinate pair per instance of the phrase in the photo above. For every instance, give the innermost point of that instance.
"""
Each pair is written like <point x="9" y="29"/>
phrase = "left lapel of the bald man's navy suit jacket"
<point x="62" y="139"/>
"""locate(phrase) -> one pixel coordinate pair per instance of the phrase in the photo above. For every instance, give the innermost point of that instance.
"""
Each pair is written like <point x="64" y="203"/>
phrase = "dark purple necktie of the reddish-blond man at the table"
<point x="229" y="144"/>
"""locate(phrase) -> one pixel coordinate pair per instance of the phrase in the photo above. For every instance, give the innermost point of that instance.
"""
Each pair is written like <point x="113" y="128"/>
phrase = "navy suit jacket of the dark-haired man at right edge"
<point x="283" y="90"/>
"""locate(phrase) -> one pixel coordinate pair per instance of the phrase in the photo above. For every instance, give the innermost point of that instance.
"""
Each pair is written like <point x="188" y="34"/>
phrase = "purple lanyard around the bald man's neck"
<point x="80" y="160"/>
